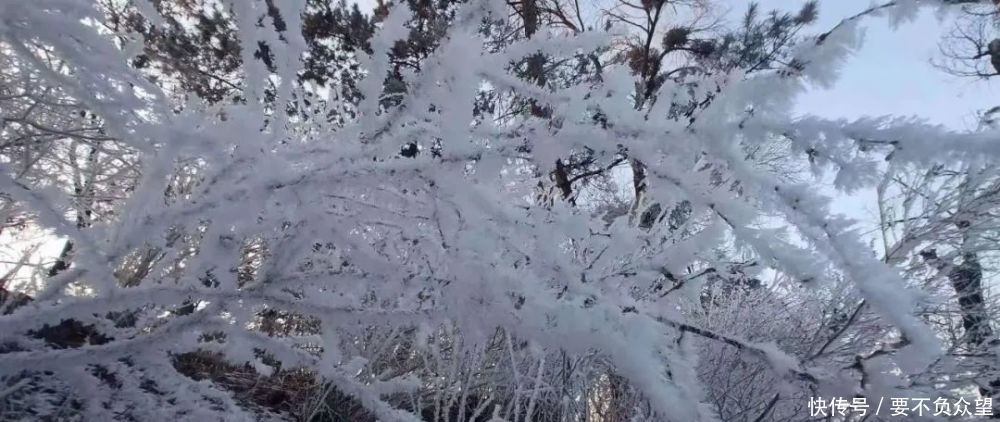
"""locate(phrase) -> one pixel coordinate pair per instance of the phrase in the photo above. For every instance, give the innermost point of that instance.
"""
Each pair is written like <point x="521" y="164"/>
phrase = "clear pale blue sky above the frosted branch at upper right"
<point x="892" y="73"/>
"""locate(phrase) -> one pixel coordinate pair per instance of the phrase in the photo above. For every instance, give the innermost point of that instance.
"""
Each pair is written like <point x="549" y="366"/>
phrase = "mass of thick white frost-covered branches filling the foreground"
<point x="257" y="264"/>
